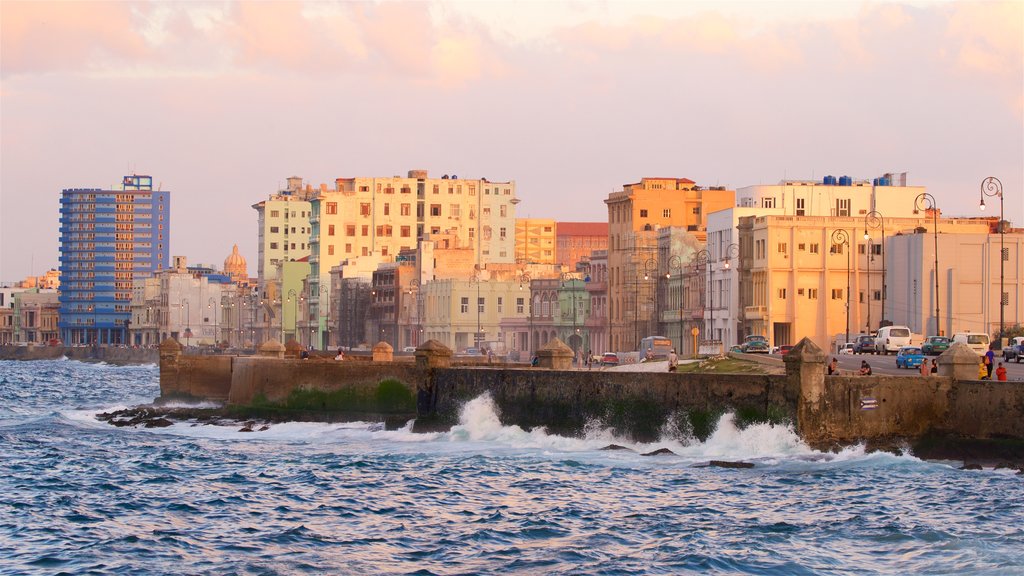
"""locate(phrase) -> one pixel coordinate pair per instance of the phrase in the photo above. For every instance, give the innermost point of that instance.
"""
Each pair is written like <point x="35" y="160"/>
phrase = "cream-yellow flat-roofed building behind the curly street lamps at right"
<point x="803" y="282"/>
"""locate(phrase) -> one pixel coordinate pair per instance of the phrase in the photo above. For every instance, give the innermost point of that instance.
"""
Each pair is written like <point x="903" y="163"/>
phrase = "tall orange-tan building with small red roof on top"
<point x="635" y="216"/>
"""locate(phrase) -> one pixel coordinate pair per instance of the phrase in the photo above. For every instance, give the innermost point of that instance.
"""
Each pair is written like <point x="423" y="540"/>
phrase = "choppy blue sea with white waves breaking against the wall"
<point x="80" y="497"/>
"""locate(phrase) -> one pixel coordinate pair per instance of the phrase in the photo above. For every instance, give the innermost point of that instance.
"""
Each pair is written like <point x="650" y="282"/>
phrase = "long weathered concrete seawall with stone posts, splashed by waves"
<point x="827" y="410"/>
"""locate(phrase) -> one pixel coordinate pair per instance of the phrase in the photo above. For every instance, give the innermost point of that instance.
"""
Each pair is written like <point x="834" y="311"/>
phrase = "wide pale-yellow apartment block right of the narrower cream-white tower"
<point x="366" y="222"/>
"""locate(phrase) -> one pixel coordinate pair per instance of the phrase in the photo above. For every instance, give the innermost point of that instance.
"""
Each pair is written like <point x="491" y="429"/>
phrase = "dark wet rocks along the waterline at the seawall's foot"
<point x="976" y="455"/>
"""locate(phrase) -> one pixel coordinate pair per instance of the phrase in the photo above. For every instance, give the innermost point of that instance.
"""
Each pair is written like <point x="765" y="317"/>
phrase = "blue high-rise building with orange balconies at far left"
<point x="109" y="238"/>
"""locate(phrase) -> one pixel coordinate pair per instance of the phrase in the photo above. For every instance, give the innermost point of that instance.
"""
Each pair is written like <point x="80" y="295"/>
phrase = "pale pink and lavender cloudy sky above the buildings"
<point x="222" y="102"/>
